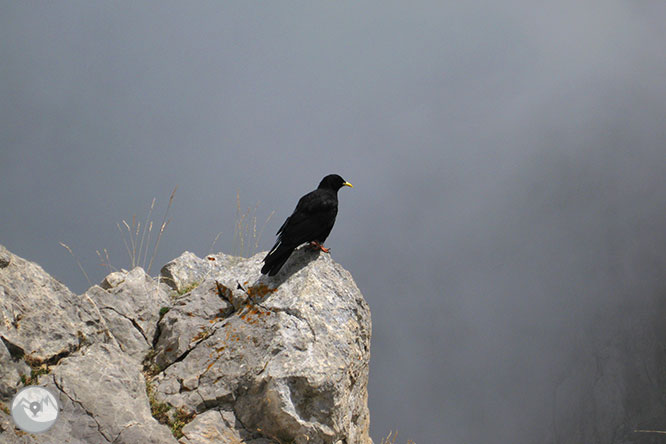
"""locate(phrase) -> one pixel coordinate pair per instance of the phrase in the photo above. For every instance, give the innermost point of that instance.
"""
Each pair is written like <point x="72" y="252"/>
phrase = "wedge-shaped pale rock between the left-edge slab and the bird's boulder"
<point x="130" y="303"/>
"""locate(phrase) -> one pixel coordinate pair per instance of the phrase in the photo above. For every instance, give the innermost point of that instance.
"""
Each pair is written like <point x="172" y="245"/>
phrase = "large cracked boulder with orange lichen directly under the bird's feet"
<point x="292" y="365"/>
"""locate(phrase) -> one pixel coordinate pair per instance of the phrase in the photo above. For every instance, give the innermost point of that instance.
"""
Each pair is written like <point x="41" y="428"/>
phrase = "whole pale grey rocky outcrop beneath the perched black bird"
<point x="208" y="352"/>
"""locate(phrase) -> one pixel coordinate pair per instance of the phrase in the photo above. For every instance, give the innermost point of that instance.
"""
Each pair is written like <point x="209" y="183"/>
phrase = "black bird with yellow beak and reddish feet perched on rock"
<point x="311" y="221"/>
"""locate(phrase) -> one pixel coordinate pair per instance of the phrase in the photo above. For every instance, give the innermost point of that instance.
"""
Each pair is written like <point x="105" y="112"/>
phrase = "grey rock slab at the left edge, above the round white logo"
<point x="39" y="317"/>
